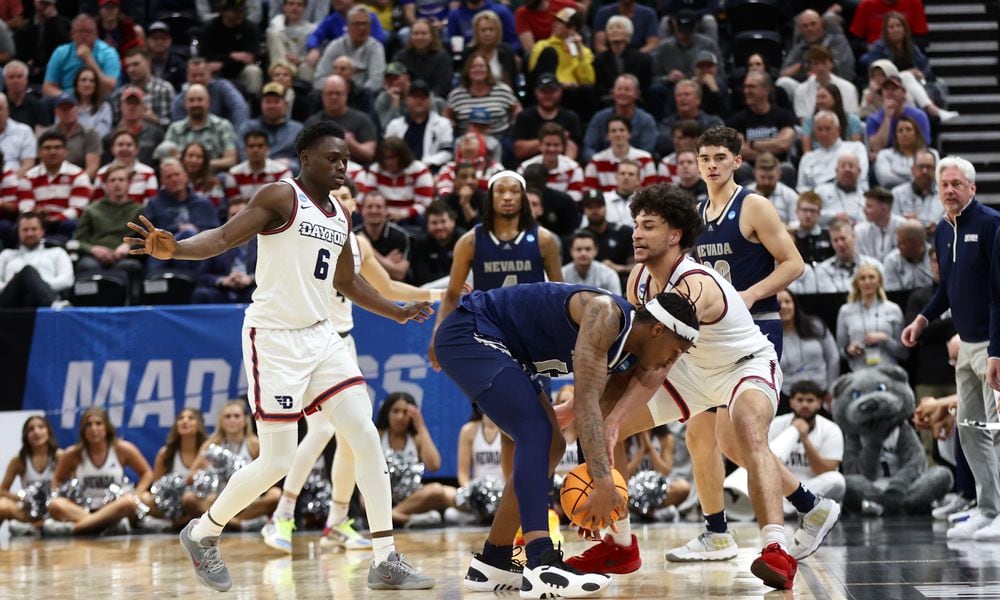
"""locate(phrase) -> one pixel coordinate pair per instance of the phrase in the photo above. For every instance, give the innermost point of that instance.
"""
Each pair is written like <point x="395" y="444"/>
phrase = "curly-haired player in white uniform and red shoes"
<point x="733" y="364"/>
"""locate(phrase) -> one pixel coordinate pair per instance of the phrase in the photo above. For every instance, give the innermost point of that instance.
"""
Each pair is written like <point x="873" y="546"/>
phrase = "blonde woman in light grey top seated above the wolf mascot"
<point x="869" y="324"/>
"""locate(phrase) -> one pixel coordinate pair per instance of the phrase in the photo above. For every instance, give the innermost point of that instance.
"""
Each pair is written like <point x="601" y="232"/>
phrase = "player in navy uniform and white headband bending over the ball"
<point x="492" y="345"/>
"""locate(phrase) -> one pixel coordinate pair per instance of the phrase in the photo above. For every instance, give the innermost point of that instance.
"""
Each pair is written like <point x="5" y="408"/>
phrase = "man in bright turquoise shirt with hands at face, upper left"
<point x="84" y="51"/>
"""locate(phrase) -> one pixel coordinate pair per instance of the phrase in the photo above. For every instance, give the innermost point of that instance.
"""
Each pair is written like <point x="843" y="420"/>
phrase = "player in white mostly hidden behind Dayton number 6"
<point x="339" y="531"/>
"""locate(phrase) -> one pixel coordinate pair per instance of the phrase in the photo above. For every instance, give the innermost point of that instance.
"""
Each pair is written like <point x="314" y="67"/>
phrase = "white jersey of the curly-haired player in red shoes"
<point x="725" y="341"/>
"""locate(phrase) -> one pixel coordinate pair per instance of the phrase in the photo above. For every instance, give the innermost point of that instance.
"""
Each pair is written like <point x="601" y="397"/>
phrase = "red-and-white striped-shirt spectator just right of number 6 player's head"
<point x="406" y="184"/>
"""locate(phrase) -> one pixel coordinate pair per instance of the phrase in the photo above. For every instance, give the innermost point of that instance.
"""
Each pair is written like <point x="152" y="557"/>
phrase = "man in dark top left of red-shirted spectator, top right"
<point x="811" y="33"/>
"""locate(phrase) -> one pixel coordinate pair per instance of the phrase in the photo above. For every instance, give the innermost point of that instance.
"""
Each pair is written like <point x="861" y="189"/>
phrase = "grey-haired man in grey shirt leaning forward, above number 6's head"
<point x="365" y="52"/>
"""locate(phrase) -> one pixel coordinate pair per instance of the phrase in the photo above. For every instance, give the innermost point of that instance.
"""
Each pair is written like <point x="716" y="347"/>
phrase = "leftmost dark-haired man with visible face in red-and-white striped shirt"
<point x="55" y="188"/>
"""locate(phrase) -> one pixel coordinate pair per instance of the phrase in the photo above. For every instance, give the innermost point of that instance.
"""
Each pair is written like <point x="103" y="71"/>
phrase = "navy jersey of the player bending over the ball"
<point x="532" y="322"/>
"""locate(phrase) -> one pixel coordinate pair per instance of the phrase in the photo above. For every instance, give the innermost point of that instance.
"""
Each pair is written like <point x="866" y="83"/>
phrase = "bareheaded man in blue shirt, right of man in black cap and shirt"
<point x="625" y="96"/>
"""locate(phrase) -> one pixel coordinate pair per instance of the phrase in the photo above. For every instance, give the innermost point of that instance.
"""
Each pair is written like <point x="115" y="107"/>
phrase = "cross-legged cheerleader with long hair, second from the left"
<point x="98" y="461"/>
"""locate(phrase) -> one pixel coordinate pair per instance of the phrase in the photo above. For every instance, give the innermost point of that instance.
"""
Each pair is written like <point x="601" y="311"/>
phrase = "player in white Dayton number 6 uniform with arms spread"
<point x="294" y="358"/>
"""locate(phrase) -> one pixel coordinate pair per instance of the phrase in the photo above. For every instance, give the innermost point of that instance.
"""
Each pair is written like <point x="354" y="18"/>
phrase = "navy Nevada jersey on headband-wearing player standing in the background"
<point x="502" y="264"/>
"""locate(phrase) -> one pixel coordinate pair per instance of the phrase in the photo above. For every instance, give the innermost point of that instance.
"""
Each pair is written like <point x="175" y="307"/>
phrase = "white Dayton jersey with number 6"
<point x="295" y="266"/>
